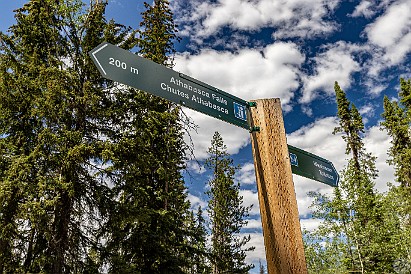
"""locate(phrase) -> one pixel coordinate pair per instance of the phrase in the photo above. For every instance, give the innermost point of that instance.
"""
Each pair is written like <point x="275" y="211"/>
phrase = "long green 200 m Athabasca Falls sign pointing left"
<point x="125" y="67"/>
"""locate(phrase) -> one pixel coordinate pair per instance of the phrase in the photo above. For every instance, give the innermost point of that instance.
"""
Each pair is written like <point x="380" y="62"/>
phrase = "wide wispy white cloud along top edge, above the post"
<point x="296" y="18"/>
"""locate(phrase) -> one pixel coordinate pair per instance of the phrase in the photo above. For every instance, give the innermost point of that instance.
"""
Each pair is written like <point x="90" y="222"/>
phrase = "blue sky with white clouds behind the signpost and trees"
<point x="293" y="50"/>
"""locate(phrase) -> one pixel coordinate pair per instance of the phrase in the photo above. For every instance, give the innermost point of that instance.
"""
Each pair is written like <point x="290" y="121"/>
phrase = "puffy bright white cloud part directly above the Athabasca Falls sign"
<point x="248" y="73"/>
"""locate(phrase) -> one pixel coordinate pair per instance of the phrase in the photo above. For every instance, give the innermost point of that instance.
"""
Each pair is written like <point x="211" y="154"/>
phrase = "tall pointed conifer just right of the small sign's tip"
<point x="357" y="199"/>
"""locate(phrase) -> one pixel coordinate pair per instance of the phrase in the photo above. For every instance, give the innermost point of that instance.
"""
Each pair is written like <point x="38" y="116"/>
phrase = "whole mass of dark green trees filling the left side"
<point x="89" y="170"/>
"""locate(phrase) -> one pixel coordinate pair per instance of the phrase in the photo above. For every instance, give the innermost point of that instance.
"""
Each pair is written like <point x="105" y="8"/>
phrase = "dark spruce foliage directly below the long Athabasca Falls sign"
<point x="146" y="226"/>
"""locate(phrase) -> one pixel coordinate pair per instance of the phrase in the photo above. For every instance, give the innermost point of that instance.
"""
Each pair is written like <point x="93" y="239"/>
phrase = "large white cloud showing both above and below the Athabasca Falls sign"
<point x="270" y="72"/>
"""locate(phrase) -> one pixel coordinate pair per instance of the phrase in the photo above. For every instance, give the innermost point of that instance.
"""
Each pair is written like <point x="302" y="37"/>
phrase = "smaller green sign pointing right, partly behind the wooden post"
<point x="312" y="166"/>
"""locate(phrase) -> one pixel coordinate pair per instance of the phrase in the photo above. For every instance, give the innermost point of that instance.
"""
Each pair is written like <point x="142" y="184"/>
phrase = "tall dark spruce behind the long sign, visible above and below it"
<point x="149" y="220"/>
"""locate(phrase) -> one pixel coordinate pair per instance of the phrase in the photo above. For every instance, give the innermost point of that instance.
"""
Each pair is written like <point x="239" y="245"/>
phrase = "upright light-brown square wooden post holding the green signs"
<point x="276" y="194"/>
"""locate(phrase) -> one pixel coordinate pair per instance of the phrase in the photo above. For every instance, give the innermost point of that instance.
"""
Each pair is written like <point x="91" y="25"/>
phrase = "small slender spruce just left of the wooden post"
<point x="227" y="214"/>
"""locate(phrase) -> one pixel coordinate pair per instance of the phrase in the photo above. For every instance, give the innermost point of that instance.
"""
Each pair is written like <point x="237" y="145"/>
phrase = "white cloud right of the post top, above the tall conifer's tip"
<point x="337" y="63"/>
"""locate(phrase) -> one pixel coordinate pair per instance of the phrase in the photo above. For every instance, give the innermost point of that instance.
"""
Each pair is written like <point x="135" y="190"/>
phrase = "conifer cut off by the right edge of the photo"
<point x="397" y="122"/>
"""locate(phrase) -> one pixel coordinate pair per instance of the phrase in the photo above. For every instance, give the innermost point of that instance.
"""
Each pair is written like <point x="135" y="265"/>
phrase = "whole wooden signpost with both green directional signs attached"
<point x="272" y="156"/>
